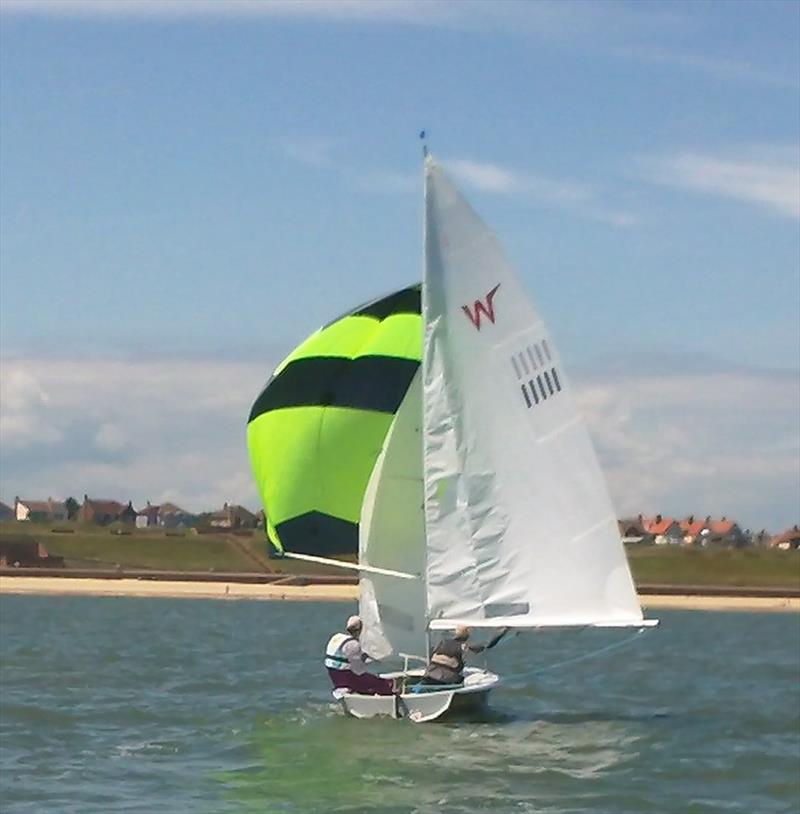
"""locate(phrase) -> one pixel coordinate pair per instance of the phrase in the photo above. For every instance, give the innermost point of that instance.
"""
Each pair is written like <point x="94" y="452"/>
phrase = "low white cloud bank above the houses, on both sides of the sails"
<point x="675" y="442"/>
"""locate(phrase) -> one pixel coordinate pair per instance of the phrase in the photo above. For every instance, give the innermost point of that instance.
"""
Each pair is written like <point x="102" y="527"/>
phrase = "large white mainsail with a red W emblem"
<point x="520" y="527"/>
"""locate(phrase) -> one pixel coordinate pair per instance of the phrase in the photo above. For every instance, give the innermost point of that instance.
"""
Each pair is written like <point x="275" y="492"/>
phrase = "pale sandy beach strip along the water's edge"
<point x="222" y="589"/>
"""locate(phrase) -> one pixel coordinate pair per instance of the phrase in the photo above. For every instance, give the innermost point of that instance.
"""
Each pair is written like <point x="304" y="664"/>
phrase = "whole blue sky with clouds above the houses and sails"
<point x="189" y="189"/>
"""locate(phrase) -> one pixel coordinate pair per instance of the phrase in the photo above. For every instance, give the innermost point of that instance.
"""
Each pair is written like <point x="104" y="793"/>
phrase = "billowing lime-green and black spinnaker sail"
<point x="318" y="426"/>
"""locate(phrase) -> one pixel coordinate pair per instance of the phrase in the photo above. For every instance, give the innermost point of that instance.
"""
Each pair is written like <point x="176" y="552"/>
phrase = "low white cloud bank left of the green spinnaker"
<point x="143" y="430"/>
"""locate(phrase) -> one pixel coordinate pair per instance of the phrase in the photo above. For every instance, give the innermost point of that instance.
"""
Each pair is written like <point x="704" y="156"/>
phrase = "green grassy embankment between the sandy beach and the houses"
<point x="93" y="547"/>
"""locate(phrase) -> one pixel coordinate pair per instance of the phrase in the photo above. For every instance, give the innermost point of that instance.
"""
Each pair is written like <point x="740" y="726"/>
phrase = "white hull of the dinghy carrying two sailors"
<point x="425" y="705"/>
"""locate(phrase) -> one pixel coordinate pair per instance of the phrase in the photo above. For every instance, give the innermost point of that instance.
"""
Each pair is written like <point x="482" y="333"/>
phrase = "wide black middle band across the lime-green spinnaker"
<point x="376" y="383"/>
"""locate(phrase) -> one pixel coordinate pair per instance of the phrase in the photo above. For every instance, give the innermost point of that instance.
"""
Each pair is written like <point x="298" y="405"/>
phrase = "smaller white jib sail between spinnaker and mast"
<point x="392" y="535"/>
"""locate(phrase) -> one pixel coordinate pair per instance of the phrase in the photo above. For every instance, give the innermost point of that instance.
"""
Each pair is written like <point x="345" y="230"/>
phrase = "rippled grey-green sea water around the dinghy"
<point x="176" y="705"/>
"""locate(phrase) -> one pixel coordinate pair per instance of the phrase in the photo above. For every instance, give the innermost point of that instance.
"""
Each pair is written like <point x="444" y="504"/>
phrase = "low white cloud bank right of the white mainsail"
<point x="699" y="442"/>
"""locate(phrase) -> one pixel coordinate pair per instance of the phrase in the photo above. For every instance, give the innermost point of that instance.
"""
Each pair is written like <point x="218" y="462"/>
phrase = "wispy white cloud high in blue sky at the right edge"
<point x="771" y="182"/>
